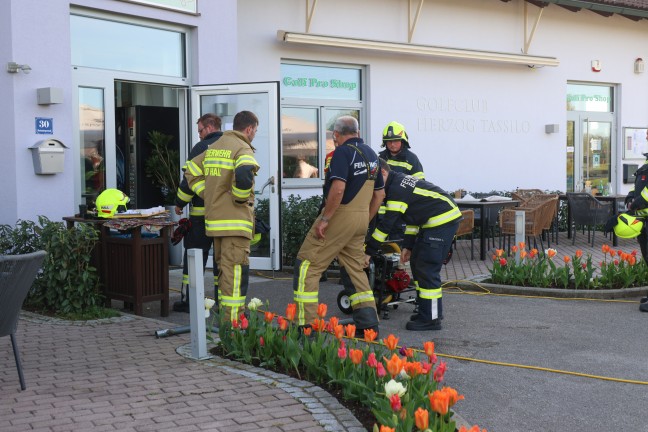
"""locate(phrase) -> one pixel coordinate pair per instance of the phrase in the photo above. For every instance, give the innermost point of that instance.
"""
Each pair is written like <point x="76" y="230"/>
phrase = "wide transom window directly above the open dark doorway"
<point x="104" y="44"/>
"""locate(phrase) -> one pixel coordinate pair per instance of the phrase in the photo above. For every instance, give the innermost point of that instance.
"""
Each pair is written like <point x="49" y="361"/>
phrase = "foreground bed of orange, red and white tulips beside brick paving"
<point x="401" y="385"/>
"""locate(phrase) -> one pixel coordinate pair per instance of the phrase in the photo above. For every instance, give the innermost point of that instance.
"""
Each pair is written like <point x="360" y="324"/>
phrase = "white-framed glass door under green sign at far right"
<point x="589" y="151"/>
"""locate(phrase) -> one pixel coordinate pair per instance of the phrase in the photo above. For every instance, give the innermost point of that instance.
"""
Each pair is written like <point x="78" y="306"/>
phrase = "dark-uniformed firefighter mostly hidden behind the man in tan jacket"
<point x="209" y="130"/>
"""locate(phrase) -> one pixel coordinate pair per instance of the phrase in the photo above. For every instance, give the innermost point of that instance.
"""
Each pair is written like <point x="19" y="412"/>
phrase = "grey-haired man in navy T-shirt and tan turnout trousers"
<point x="355" y="191"/>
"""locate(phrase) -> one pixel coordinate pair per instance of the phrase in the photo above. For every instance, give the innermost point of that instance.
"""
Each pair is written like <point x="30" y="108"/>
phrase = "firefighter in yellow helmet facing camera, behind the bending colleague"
<point x="397" y="152"/>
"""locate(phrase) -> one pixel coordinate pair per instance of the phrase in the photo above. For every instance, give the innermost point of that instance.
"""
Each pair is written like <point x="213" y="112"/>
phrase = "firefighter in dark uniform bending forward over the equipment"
<point x="432" y="218"/>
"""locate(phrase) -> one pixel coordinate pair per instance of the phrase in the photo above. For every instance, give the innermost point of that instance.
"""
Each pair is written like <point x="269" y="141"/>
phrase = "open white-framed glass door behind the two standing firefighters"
<point x="263" y="100"/>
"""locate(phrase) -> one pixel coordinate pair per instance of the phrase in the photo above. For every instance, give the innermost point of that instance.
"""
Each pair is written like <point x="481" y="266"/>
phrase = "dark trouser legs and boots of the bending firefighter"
<point x="430" y="250"/>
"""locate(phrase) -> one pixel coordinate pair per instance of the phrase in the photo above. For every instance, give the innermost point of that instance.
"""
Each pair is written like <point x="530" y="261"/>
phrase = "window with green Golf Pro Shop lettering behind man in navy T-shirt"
<point x="313" y="97"/>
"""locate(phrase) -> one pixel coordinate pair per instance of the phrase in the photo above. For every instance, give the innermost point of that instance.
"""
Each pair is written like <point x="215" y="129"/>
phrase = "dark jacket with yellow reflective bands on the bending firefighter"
<point x="417" y="203"/>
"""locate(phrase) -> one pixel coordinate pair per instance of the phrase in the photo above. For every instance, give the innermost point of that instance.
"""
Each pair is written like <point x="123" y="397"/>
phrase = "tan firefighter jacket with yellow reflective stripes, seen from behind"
<point x="224" y="177"/>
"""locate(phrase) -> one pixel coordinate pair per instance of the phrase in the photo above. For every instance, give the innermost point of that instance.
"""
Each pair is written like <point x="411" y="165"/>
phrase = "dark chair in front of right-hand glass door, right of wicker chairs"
<point x="587" y="211"/>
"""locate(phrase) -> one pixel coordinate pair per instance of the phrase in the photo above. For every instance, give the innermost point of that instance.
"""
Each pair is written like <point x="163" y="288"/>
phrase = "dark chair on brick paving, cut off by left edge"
<point x="17" y="273"/>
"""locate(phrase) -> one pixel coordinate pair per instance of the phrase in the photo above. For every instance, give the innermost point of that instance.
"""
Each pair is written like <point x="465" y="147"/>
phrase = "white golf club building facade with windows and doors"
<point x="494" y="95"/>
